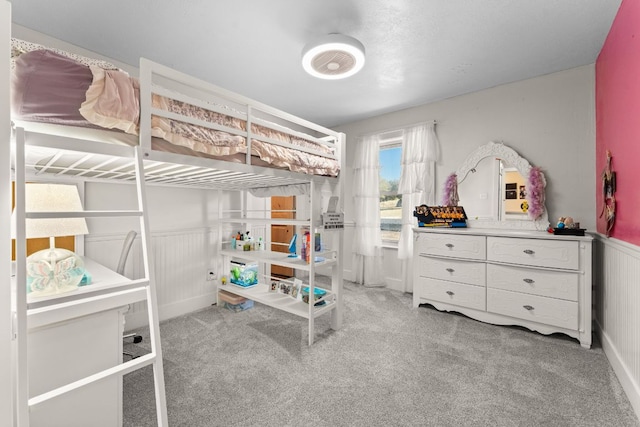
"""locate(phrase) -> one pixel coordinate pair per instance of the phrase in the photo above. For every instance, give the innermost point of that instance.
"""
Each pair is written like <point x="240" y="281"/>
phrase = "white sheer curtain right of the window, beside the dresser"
<point x="420" y="152"/>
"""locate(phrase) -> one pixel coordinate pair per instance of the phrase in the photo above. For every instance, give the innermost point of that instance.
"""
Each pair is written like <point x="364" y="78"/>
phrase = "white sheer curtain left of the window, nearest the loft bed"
<point x="367" y="240"/>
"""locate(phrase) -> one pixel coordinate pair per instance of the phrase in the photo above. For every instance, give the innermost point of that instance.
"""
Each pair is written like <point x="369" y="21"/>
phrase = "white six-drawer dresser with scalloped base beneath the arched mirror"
<point x="528" y="278"/>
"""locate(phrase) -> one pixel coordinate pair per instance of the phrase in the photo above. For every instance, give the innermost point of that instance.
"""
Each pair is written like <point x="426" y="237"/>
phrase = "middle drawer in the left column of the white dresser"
<point x="469" y="272"/>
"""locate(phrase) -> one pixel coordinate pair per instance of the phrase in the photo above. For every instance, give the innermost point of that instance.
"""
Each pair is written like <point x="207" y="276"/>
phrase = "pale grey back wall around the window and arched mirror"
<point x="550" y="120"/>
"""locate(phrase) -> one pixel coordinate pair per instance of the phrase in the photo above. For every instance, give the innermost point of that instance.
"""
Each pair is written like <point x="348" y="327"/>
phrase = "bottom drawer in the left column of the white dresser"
<point x="452" y="293"/>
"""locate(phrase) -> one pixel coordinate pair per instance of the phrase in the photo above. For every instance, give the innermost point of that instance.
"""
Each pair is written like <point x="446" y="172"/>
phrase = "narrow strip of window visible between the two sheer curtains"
<point x="389" y="178"/>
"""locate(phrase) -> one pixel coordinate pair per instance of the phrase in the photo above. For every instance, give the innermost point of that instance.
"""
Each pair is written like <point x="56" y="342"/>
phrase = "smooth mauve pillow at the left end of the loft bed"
<point x="49" y="87"/>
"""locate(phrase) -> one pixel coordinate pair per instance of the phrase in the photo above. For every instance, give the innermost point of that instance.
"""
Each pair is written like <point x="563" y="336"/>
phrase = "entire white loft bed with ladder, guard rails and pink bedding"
<point x="170" y="129"/>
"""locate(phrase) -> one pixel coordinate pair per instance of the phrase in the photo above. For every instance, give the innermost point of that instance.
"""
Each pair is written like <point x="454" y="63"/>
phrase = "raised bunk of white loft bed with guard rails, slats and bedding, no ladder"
<point x="164" y="112"/>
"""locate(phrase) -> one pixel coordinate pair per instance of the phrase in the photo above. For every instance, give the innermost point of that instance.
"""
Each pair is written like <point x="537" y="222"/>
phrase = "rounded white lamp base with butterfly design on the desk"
<point x="53" y="271"/>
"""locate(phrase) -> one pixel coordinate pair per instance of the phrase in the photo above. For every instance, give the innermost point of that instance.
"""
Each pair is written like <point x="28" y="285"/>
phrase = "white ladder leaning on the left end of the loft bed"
<point x="121" y="295"/>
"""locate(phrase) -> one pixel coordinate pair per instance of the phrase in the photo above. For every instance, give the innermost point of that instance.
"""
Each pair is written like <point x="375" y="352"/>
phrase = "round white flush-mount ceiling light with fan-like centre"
<point x="332" y="57"/>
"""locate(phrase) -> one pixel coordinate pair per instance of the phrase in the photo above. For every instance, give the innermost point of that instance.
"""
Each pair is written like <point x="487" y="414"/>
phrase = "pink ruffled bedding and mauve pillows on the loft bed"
<point x="109" y="98"/>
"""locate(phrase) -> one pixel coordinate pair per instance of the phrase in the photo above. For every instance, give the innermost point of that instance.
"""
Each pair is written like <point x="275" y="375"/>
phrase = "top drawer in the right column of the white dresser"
<point x="537" y="252"/>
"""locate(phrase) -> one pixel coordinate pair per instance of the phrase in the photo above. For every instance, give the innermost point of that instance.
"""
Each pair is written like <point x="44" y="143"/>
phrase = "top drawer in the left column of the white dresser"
<point x="451" y="245"/>
